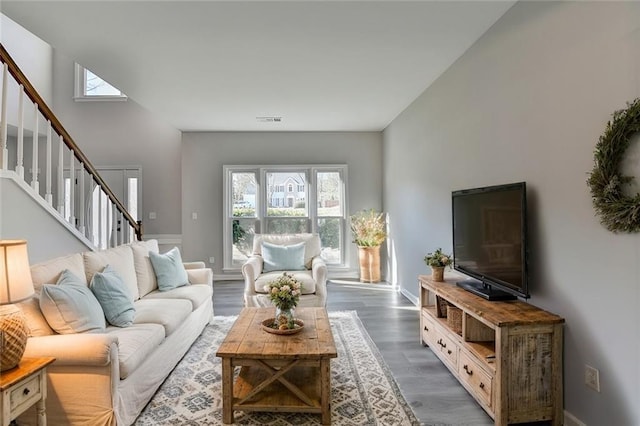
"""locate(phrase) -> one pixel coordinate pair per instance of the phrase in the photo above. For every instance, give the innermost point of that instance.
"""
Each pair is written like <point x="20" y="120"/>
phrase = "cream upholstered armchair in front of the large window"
<point x="312" y="275"/>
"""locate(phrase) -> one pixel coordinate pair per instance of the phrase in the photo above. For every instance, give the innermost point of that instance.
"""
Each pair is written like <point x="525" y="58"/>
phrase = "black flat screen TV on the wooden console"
<point x="490" y="240"/>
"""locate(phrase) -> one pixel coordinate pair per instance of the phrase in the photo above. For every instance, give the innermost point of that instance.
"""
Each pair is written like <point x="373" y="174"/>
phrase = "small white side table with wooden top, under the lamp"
<point x="22" y="387"/>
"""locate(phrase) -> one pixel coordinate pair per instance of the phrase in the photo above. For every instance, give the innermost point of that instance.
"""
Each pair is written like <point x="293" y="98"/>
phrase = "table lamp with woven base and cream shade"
<point x="15" y="285"/>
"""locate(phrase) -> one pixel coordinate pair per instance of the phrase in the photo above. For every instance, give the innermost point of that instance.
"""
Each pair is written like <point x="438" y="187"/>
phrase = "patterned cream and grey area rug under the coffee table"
<point x="363" y="391"/>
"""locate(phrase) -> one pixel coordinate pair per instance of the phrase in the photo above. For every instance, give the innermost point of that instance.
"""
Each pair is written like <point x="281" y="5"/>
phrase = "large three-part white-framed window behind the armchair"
<point x="281" y="200"/>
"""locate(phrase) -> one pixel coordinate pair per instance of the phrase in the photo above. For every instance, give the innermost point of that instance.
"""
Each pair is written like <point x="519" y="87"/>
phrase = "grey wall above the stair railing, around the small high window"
<point x="125" y="134"/>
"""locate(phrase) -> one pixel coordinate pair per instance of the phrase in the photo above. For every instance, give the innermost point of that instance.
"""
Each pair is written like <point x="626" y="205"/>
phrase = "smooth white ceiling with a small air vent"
<point x="217" y="65"/>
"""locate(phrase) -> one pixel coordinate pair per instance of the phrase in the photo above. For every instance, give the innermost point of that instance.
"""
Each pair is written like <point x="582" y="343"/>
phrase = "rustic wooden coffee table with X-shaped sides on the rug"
<point x="284" y="373"/>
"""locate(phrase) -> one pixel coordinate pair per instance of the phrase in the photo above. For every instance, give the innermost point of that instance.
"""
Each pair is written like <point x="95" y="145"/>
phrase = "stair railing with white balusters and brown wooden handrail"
<point x="76" y="177"/>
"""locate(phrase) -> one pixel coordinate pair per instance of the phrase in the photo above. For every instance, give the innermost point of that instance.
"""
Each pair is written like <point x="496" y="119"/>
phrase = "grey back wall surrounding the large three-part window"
<point x="204" y="154"/>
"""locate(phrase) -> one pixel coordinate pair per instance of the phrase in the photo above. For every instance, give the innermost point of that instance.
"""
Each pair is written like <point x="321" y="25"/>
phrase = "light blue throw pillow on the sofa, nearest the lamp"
<point x="70" y="307"/>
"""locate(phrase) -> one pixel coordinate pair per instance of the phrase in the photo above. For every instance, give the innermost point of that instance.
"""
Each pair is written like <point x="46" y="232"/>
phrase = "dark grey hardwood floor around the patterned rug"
<point x="392" y="321"/>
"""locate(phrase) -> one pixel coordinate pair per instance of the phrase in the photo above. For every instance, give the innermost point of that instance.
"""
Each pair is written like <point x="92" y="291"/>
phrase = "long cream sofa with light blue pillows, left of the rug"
<point x="107" y="378"/>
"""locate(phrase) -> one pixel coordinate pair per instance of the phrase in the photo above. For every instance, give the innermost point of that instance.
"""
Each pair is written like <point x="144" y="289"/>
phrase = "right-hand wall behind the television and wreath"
<point x="528" y="102"/>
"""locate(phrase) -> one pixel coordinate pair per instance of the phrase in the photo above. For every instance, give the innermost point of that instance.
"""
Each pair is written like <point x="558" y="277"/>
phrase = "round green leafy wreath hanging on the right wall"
<point x="618" y="212"/>
